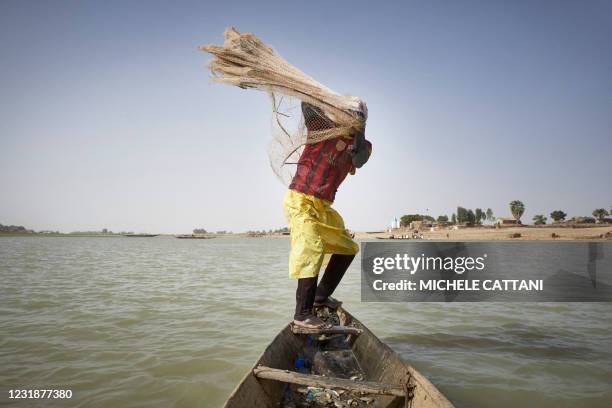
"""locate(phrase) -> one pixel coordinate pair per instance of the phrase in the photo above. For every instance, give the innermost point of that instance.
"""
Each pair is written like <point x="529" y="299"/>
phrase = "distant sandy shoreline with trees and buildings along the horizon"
<point x="463" y="225"/>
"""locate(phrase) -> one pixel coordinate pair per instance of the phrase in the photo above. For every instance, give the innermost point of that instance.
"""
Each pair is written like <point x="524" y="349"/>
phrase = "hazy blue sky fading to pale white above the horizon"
<point x="108" y="118"/>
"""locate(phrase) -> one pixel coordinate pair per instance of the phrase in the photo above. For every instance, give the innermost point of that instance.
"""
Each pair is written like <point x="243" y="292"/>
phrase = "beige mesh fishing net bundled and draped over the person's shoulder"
<point x="245" y="61"/>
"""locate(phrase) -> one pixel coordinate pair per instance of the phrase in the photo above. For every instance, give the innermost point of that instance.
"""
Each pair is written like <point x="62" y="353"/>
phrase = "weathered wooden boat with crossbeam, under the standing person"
<point x="388" y="381"/>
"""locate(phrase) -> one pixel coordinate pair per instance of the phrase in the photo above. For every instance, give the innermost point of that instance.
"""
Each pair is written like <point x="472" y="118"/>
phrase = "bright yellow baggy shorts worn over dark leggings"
<point x="316" y="230"/>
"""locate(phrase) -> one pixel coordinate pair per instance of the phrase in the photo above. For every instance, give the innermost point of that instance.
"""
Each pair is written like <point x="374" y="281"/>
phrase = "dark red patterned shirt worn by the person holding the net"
<point x="323" y="166"/>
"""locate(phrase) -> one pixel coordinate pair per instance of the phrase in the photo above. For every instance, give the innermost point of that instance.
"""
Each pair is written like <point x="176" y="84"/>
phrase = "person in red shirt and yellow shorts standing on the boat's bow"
<point x="316" y="228"/>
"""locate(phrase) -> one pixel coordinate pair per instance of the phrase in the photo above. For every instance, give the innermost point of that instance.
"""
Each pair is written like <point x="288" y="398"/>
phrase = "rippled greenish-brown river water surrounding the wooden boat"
<point x="135" y="322"/>
